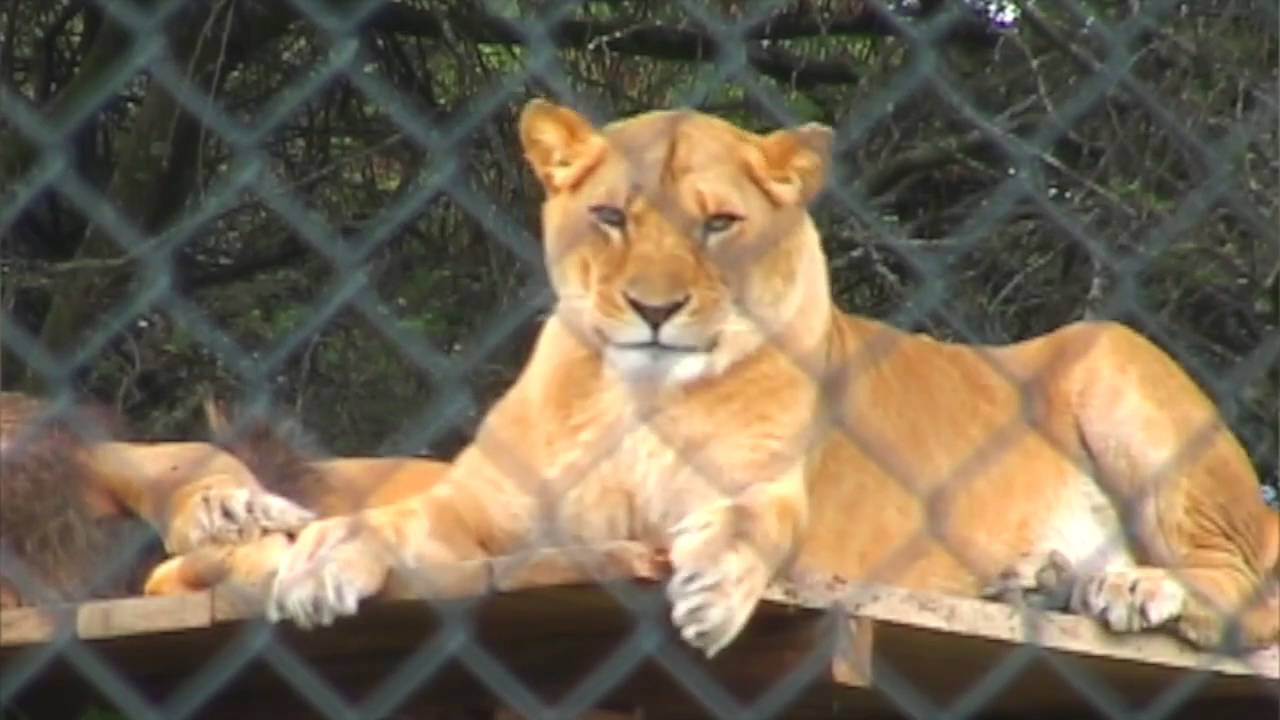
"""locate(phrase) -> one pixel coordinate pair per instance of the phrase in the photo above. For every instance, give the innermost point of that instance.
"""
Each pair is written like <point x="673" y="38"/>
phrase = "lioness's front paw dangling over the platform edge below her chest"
<point x="717" y="581"/>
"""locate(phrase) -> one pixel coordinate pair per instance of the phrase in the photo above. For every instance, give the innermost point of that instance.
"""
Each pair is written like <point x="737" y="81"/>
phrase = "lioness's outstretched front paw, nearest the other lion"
<point x="333" y="566"/>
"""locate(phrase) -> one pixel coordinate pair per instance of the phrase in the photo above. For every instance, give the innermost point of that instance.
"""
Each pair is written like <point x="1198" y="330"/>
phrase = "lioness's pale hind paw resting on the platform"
<point x="1131" y="600"/>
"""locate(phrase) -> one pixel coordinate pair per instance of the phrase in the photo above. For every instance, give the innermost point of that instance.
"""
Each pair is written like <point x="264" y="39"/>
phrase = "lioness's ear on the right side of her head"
<point x="792" y="166"/>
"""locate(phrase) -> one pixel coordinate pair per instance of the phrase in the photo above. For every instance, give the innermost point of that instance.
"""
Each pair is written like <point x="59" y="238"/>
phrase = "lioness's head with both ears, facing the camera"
<point x="678" y="244"/>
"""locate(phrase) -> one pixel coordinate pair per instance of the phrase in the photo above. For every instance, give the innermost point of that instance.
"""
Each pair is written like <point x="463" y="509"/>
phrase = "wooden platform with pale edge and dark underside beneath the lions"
<point x="560" y="651"/>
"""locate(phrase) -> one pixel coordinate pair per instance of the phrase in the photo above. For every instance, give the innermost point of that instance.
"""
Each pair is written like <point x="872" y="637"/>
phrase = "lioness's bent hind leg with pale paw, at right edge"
<point x="1188" y="494"/>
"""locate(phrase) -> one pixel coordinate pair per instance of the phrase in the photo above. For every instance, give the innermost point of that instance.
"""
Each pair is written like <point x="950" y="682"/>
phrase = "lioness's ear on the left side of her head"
<point x="561" y="145"/>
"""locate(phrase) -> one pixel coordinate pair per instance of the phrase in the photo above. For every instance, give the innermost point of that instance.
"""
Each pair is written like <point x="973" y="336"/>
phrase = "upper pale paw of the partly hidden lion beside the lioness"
<point x="225" y="511"/>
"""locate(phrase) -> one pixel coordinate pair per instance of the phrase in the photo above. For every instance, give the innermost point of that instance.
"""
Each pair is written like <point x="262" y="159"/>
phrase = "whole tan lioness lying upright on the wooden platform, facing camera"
<point x="698" y="390"/>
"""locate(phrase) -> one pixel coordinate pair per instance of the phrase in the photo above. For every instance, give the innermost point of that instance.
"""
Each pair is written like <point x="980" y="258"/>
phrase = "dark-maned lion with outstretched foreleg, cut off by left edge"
<point x="74" y="495"/>
